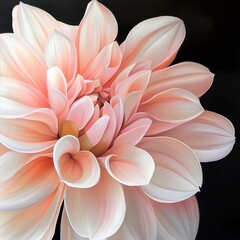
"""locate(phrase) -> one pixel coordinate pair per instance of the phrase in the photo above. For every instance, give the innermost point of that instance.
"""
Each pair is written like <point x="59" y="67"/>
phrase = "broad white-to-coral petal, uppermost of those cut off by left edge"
<point x="20" y="61"/>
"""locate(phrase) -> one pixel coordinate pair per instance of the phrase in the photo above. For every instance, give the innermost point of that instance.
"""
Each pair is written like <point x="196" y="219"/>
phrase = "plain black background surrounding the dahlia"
<point x="213" y="39"/>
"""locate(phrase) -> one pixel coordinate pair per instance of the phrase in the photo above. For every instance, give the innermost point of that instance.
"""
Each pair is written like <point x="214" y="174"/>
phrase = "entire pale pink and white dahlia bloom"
<point x="111" y="131"/>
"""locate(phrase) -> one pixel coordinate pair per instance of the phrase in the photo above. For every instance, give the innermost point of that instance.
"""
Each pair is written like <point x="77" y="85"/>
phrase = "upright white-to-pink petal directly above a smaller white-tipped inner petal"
<point x="61" y="52"/>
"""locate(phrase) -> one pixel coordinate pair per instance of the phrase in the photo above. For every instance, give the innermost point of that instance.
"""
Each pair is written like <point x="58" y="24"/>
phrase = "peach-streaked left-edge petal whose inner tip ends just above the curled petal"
<point x="34" y="132"/>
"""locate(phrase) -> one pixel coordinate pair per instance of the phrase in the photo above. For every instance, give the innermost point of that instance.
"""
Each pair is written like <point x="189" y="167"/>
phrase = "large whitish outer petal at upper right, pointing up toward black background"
<point x="156" y="40"/>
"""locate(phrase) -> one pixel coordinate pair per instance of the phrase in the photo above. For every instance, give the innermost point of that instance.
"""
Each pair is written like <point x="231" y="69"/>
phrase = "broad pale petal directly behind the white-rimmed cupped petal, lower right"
<point x="178" y="173"/>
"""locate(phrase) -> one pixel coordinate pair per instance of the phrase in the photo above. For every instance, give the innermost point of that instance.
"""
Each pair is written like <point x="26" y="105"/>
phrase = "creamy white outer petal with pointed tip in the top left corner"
<point x="35" y="25"/>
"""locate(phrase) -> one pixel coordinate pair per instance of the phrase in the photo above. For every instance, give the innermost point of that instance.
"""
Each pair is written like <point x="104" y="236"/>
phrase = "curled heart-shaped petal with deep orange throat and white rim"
<point x="76" y="169"/>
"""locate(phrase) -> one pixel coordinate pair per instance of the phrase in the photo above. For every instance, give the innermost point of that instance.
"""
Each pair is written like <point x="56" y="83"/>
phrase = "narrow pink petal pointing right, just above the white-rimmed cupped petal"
<point x="134" y="132"/>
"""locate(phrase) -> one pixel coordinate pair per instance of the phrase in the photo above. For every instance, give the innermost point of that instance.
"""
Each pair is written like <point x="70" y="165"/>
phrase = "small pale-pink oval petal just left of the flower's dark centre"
<point x="81" y="112"/>
